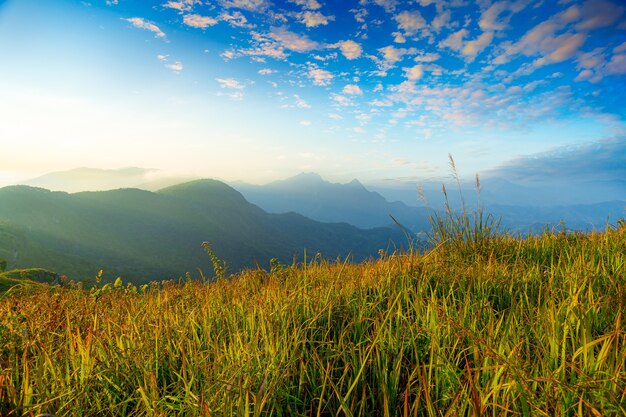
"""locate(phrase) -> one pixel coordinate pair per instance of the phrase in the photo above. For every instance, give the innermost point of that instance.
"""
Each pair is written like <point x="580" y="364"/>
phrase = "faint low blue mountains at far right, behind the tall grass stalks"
<point x="525" y="208"/>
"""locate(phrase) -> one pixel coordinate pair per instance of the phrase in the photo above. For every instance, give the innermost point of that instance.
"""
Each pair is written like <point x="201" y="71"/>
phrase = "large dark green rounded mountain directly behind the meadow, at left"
<point x="146" y="235"/>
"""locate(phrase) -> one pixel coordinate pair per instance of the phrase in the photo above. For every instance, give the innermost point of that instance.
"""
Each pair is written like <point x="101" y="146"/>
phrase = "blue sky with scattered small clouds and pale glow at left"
<point x="258" y="90"/>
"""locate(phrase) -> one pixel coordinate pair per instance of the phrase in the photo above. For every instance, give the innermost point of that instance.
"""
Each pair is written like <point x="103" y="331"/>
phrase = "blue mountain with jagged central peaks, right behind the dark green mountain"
<point x="312" y="196"/>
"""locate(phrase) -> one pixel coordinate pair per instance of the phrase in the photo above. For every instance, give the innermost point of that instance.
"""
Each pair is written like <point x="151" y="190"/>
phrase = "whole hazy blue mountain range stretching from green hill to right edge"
<point x="523" y="209"/>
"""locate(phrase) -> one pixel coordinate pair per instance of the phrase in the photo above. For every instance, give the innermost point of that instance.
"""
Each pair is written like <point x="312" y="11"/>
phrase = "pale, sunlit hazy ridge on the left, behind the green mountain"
<point x="93" y="179"/>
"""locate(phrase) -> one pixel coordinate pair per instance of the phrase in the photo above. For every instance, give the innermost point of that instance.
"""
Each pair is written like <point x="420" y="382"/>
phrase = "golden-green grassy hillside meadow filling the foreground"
<point x="480" y="325"/>
